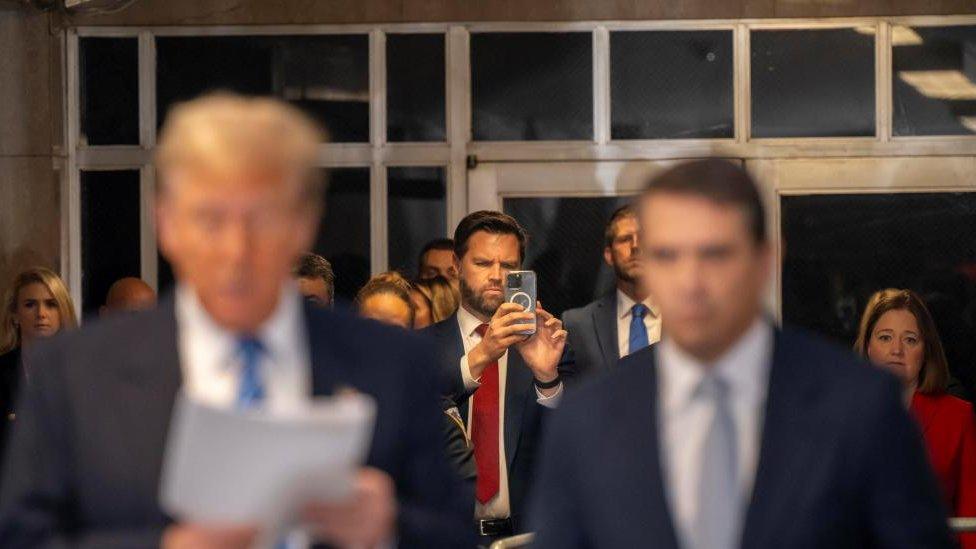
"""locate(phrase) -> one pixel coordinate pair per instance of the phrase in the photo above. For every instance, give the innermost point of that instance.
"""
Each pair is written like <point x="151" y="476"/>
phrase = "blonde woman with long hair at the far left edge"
<point x="35" y="306"/>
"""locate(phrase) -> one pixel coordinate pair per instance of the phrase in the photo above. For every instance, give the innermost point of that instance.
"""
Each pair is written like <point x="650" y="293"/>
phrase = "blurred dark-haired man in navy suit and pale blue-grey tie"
<point x="731" y="433"/>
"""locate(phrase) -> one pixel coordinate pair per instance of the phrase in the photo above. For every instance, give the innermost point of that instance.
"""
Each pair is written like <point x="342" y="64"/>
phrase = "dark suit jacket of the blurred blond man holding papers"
<point x="84" y="463"/>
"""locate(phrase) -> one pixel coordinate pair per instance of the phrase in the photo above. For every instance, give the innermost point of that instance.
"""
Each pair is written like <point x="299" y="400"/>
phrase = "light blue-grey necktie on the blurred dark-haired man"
<point x="719" y="500"/>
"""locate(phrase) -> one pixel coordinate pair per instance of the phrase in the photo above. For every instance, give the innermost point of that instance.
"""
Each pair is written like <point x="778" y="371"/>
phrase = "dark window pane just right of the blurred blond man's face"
<point x="344" y="235"/>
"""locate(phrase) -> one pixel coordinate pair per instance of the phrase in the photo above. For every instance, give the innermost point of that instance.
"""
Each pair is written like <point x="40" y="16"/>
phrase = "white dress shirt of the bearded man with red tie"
<point x="499" y="506"/>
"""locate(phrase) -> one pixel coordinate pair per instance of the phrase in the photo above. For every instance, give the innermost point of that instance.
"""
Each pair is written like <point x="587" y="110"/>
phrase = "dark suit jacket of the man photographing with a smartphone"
<point x="524" y="416"/>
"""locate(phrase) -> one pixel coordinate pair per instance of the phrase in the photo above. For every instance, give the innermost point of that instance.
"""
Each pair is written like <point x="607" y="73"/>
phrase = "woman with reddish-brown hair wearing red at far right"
<point x="898" y="333"/>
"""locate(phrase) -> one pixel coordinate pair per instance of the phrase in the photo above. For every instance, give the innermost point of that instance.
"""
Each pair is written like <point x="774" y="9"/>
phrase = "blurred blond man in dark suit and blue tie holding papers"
<point x="238" y="203"/>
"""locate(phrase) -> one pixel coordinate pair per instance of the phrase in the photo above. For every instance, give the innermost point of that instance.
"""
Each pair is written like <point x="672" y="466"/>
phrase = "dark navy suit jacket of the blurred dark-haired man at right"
<point x="841" y="463"/>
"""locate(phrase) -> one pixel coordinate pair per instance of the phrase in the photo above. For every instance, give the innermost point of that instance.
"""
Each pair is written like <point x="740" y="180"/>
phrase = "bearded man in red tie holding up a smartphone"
<point x="503" y="395"/>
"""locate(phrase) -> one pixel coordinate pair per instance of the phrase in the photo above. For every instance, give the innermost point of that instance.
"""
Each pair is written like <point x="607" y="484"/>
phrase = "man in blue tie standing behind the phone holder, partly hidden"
<point x="623" y="321"/>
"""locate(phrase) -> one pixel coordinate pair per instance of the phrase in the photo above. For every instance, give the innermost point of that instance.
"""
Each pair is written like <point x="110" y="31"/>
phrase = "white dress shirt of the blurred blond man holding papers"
<point x="211" y="363"/>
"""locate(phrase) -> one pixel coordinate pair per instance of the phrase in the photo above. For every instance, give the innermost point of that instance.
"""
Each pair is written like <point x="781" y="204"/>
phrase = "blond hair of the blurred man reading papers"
<point x="223" y="133"/>
